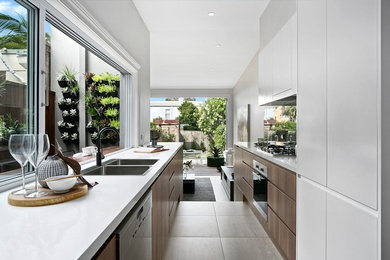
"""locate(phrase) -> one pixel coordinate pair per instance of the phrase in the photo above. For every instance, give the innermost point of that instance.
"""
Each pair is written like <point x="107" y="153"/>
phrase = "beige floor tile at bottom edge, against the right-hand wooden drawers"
<point x="248" y="249"/>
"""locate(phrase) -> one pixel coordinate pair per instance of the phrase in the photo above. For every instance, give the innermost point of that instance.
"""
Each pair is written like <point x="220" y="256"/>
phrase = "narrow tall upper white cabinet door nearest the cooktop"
<point x="311" y="101"/>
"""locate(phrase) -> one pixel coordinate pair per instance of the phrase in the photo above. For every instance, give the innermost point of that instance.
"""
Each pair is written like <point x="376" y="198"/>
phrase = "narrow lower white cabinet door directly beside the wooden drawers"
<point x="311" y="221"/>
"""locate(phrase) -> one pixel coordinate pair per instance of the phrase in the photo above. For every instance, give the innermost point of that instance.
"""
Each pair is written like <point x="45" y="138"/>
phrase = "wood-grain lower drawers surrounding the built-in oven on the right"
<point x="281" y="222"/>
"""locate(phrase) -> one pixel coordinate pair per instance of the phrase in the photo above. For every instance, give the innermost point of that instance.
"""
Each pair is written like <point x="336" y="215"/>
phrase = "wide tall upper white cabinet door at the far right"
<point x="352" y="102"/>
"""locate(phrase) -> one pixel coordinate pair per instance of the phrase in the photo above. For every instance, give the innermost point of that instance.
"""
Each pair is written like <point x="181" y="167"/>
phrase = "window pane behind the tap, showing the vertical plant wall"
<point x="85" y="94"/>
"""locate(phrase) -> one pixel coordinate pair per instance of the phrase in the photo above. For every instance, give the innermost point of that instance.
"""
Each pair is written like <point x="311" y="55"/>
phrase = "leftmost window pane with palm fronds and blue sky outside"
<point x="17" y="78"/>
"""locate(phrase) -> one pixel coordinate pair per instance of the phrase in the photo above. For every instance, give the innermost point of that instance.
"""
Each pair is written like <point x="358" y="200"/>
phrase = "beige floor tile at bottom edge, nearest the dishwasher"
<point x="190" y="248"/>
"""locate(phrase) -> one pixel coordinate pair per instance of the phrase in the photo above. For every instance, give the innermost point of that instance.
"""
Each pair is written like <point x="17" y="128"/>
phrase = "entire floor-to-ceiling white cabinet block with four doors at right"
<point x="338" y="93"/>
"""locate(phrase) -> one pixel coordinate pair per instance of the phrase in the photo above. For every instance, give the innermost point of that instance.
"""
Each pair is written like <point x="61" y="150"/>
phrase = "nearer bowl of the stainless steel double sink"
<point x="116" y="170"/>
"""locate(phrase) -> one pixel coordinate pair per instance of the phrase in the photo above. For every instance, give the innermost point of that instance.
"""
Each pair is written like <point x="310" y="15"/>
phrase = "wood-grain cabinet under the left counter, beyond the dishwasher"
<point x="167" y="191"/>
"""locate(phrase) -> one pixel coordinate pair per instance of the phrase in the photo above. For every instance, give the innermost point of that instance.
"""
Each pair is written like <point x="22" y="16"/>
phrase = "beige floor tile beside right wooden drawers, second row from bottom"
<point x="240" y="226"/>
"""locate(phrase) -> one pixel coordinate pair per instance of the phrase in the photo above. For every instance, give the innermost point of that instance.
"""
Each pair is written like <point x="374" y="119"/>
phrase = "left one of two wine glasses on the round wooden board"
<point x="17" y="146"/>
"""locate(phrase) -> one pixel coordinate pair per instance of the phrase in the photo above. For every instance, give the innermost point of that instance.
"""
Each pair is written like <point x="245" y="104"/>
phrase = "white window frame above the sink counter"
<point x="75" y="19"/>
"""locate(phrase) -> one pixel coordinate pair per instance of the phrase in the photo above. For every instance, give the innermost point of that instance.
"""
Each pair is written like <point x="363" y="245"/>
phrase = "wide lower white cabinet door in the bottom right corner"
<point x="352" y="231"/>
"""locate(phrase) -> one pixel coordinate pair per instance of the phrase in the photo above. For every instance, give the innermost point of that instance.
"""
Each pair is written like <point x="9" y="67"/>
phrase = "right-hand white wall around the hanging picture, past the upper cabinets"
<point x="246" y="92"/>
